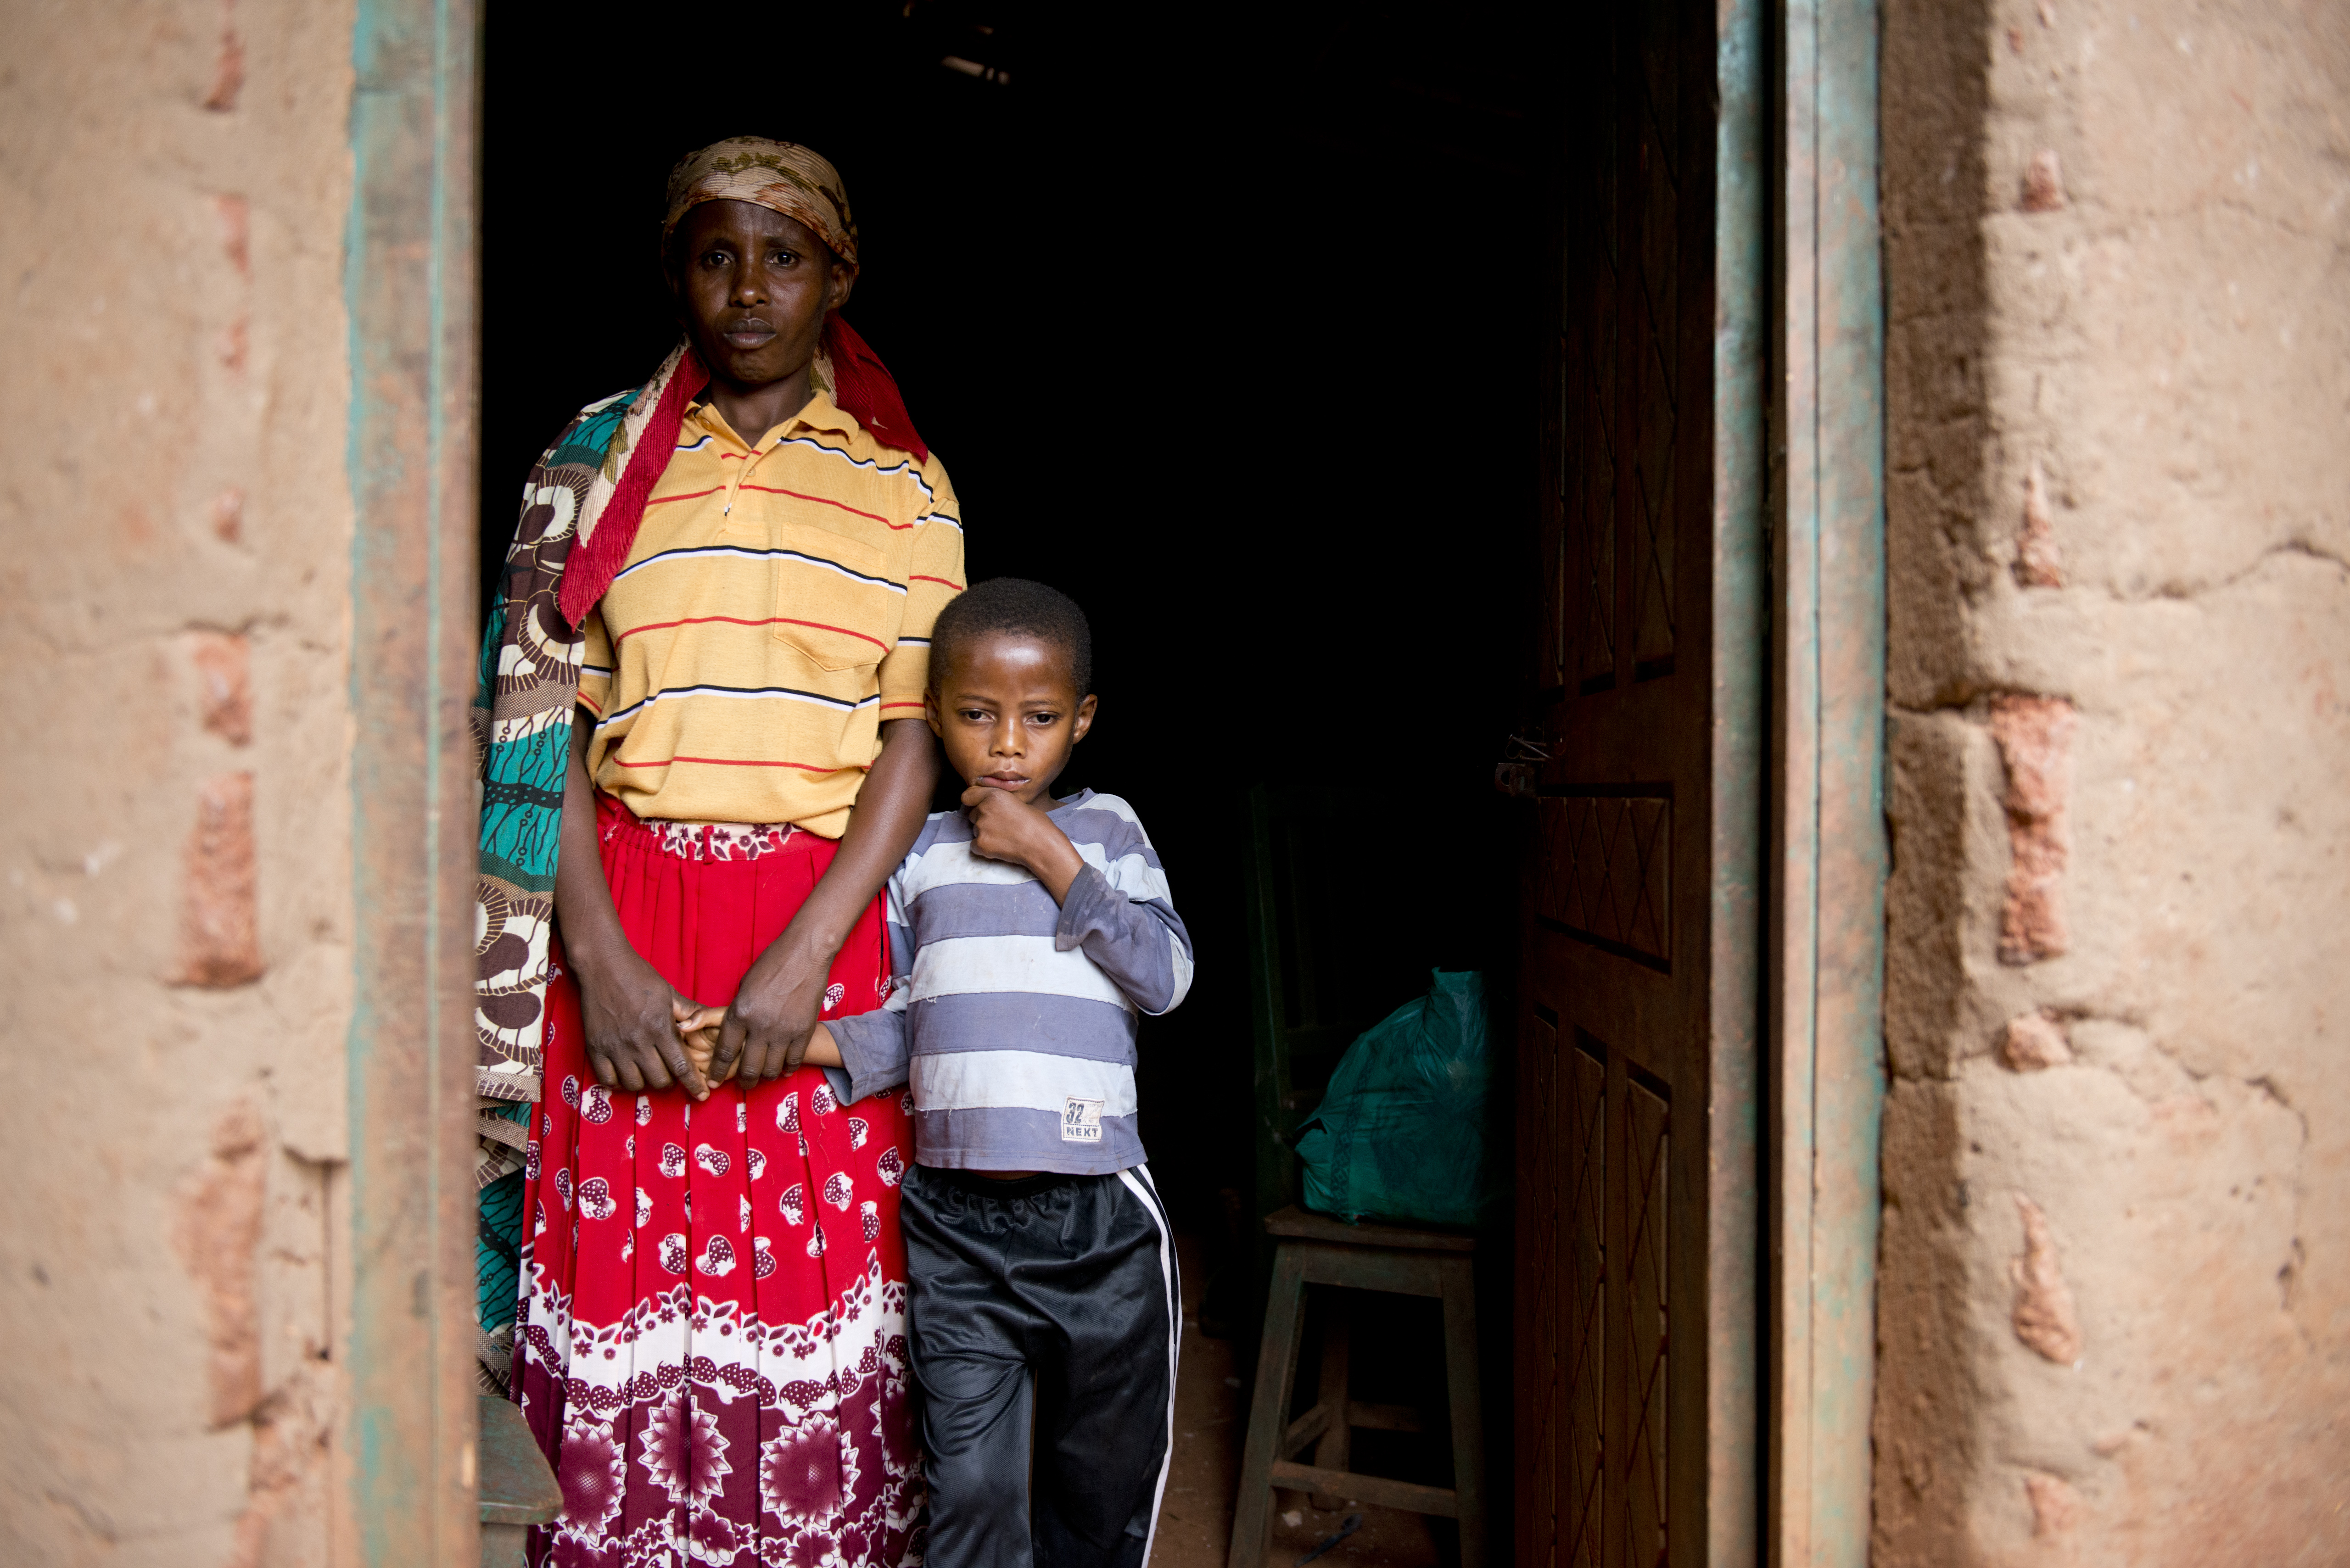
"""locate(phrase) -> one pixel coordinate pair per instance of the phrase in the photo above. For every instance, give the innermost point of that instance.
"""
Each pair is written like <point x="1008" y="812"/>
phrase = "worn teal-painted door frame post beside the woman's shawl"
<point x="415" y="387"/>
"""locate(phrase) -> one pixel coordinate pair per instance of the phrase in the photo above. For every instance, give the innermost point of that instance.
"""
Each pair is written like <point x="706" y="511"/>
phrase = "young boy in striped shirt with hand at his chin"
<point x="1026" y="937"/>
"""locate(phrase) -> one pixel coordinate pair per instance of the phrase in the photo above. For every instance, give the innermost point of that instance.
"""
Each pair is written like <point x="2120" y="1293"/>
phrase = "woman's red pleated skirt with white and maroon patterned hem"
<point x="713" y="1322"/>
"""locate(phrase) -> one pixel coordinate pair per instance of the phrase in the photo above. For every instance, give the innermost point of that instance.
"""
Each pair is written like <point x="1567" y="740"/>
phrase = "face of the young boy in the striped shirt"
<point x="1007" y="711"/>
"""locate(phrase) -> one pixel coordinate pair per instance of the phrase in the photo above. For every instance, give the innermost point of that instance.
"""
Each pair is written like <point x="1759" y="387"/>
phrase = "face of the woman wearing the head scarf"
<point x="753" y="288"/>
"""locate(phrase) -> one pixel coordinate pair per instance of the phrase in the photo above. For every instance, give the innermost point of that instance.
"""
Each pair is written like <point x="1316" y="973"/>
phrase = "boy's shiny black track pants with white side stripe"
<point x="1045" y="1320"/>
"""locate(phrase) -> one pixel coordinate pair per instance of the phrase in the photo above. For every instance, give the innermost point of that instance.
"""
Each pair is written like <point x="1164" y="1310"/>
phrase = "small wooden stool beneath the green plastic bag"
<point x="1322" y="1252"/>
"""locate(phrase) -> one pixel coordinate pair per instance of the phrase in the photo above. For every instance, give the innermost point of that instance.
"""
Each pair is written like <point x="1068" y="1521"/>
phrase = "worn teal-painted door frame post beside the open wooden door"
<point x="1827" y="796"/>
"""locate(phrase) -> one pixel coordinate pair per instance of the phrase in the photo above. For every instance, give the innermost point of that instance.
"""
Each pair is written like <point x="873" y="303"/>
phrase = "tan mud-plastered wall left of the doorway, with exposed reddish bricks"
<point x="175" y="855"/>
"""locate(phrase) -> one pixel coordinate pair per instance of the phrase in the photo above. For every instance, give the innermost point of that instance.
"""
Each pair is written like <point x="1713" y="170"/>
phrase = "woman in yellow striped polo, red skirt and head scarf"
<point x="732" y="577"/>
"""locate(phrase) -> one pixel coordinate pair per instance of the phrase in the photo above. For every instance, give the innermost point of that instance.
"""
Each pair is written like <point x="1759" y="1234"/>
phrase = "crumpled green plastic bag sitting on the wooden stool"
<point x="1404" y="1130"/>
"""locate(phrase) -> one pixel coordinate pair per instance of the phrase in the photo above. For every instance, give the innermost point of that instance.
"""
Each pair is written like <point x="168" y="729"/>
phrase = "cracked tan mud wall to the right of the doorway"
<point x="2116" y="1257"/>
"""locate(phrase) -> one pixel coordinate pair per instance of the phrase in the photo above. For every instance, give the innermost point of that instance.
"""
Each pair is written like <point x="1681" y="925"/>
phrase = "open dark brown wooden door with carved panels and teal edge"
<point x="1637" y="1191"/>
